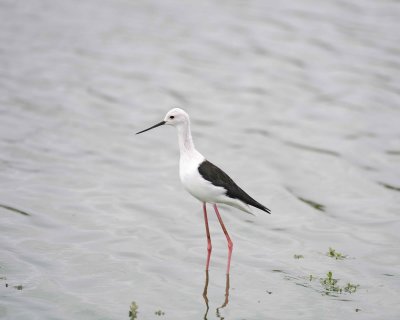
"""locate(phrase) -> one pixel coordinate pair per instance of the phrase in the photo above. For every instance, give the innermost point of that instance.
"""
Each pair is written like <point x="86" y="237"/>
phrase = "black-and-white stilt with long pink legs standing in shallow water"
<point x="205" y="181"/>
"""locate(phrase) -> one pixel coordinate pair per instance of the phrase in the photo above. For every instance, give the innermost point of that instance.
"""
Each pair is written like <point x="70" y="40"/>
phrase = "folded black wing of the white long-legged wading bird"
<point x="219" y="178"/>
